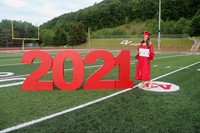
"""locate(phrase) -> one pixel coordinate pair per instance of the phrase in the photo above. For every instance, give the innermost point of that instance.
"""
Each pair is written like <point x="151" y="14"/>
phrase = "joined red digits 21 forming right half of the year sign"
<point x="122" y="60"/>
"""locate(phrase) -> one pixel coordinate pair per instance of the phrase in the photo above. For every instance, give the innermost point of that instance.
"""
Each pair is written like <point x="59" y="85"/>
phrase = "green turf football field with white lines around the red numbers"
<point x="116" y="110"/>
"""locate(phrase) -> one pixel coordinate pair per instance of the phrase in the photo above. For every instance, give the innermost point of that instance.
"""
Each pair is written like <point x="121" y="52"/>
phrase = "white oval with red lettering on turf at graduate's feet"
<point x="158" y="86"/>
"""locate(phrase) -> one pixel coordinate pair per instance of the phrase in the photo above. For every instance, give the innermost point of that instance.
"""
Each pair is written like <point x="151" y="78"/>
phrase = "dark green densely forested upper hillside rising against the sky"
<point x="112" y="13"/>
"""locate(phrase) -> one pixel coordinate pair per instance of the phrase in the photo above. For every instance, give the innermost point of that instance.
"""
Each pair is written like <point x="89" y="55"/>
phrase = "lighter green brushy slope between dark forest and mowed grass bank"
<point x="178" y="28"/>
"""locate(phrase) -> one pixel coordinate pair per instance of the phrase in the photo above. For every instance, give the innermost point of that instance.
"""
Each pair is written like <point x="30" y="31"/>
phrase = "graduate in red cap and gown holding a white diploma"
<point x="145" y="55"/>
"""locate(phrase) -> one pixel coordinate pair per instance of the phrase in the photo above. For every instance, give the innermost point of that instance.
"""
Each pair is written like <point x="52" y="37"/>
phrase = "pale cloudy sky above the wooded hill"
<point x="39" y="11"/>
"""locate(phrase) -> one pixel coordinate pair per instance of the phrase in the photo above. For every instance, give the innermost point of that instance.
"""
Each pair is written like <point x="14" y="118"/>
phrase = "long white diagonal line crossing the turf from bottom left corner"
<point x="83" y="105"/>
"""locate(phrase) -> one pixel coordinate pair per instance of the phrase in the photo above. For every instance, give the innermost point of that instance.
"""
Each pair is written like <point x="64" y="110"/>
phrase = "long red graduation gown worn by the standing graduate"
<point x="143" y="64"/>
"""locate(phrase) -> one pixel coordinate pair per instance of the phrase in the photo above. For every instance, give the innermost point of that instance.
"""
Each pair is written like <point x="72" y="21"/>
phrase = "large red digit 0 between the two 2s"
<point x="58" y="70"/>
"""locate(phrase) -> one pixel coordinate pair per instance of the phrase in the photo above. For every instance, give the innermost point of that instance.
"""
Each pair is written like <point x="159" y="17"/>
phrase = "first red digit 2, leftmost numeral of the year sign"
<point x="31" y="82"/>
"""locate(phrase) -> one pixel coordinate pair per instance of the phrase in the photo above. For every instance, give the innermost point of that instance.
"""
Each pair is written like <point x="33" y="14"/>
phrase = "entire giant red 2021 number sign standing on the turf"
<point x="93" y="82"/>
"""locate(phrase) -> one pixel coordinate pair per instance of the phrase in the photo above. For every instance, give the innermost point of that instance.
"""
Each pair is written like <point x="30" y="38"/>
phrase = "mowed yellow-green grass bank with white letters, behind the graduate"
<point x="183" y="44"/>
